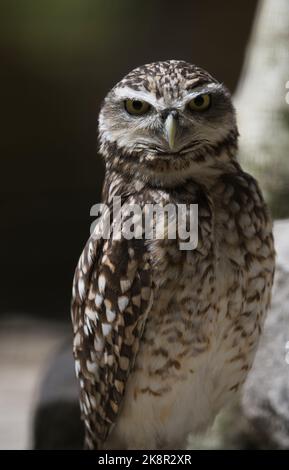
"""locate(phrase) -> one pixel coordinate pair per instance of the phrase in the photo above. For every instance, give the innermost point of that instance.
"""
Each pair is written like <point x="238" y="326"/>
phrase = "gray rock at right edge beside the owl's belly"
<point x="265" y="401"/>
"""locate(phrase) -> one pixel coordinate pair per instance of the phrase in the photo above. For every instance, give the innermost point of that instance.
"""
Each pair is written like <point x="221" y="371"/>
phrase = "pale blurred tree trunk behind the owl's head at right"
<point x="262" y="101"/>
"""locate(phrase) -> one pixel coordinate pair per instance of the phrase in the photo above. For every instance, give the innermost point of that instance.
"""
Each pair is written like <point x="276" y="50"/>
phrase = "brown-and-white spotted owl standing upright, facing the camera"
<point x="164" y="336"/>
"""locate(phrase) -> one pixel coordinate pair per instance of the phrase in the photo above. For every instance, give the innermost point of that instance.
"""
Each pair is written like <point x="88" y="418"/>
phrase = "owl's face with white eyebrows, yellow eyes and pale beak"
<point x="139" y="121"/>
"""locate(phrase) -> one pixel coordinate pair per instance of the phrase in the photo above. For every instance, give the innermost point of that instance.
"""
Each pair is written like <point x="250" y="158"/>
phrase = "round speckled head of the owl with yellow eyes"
<point x="167" y="121"/>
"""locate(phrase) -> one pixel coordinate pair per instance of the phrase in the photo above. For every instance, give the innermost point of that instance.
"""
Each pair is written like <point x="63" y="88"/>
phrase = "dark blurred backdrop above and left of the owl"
<point x="58" y="60"/>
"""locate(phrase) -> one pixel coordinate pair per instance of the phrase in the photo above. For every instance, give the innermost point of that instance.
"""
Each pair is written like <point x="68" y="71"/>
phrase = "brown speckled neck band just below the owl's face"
<point x="169" y="171"/>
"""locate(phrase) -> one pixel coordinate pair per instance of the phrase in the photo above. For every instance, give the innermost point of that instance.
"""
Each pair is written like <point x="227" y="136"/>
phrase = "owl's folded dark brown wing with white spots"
<point x="111" y="297"/>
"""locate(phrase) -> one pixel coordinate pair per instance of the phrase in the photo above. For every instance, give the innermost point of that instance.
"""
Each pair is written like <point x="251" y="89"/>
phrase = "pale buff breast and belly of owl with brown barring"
<point x="203" y="327"/>
